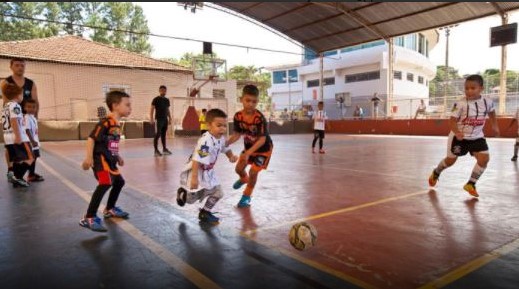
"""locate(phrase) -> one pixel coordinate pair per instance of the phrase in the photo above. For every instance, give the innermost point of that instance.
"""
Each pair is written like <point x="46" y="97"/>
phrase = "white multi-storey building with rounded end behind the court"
<point x="356" y="73"/>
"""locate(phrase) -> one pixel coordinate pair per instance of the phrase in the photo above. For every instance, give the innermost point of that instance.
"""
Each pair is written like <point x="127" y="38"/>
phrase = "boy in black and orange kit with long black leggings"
<point x="102" y="154"/>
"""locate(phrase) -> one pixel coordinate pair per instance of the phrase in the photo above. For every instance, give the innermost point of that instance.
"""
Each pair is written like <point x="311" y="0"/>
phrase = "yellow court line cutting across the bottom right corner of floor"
<point x="471" y="266"/>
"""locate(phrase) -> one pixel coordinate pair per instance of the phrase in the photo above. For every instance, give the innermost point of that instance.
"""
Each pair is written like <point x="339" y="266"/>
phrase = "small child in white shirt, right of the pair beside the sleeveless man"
<point x="31" y="126"/>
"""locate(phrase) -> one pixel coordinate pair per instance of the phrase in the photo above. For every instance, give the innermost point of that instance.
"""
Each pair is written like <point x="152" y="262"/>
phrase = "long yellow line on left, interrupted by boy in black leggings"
<point x="163" y="253"/>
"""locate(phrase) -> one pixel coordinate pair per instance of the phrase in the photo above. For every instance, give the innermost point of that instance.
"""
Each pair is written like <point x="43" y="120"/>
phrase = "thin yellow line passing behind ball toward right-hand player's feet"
<point x="340" y="211"/>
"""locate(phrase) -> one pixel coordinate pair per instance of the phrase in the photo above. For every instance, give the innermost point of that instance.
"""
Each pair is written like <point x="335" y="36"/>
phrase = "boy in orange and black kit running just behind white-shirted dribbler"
<point x="251" y="123"/>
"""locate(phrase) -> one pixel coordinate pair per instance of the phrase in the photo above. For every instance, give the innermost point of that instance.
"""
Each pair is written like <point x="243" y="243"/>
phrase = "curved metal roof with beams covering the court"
<point x="324" y="26"/>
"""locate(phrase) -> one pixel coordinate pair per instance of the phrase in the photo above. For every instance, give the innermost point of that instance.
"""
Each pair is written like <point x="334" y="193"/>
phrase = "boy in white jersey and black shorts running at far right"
<point x="467" y="120"/>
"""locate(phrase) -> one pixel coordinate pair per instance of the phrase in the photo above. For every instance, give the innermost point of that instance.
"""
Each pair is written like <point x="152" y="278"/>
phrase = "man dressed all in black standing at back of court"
<point x="160" y="106"/>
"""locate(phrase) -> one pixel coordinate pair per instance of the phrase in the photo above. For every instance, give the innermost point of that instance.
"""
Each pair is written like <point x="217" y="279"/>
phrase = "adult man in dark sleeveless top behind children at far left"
<point x="17" y="66"/>
